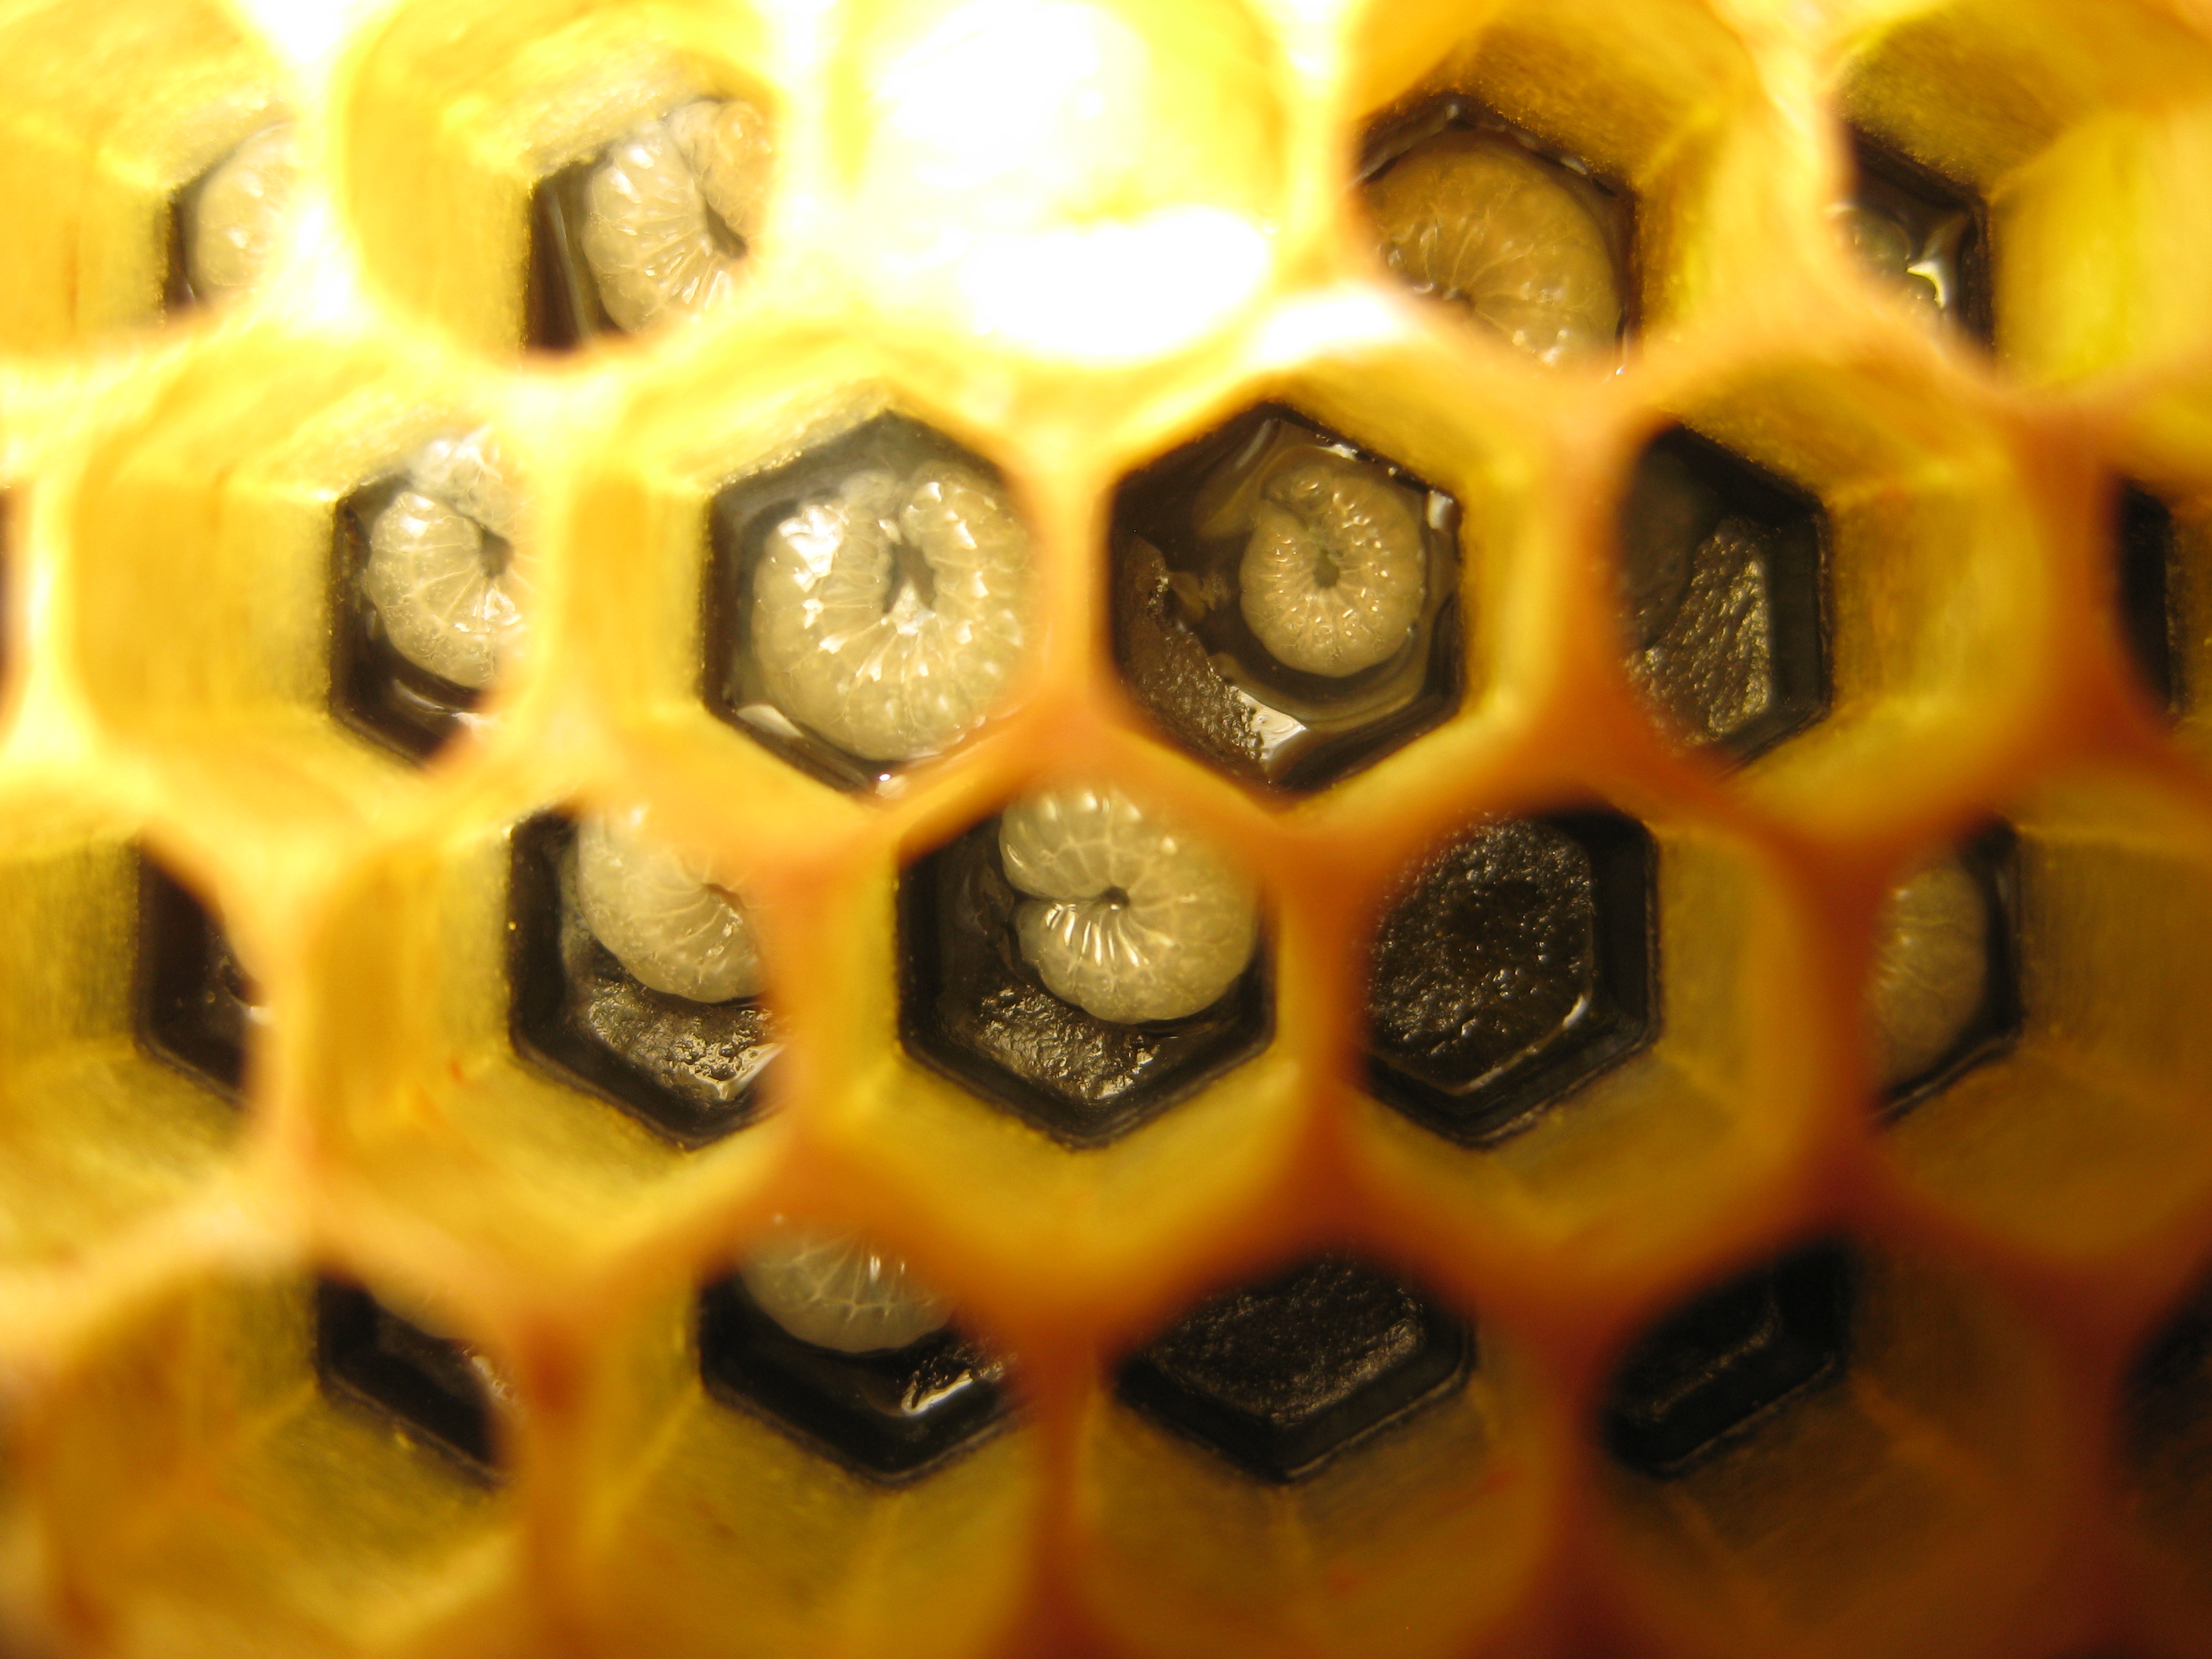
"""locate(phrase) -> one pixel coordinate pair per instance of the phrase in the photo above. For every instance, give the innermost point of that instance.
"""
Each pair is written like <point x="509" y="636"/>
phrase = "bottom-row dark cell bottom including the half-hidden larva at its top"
<point x="837" y="1348"/>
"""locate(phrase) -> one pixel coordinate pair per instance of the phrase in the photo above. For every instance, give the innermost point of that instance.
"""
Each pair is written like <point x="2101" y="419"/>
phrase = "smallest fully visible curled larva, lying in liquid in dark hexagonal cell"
<point x="1337" y="567"/>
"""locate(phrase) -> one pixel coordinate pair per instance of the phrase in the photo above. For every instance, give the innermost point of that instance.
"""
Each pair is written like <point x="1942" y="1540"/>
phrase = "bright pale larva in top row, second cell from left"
<point x="671" y="207"/>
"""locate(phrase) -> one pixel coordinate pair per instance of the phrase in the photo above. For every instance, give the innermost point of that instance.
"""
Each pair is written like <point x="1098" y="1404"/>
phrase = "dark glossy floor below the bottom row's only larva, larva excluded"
<point x="890" y="1415"/>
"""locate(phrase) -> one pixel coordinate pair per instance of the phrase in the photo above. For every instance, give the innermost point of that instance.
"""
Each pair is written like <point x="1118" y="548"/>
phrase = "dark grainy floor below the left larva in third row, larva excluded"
<point x="687" y="1070"/>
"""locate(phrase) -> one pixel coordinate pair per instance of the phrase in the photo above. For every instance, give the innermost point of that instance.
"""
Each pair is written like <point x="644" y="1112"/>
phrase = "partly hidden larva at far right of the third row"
<point x="1930" y="968"/>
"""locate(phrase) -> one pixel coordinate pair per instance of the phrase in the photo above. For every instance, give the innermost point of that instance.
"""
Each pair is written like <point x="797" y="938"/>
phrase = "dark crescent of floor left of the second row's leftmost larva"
<point x="373" y="687"/>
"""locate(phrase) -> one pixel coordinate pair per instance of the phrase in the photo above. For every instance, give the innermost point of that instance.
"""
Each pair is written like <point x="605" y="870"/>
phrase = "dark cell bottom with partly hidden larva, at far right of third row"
<point x="1948" y="970"/>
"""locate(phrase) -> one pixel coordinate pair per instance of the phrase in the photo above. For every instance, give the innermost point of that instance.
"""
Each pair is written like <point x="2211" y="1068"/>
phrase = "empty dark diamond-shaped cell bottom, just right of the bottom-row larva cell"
<point x="1286" y="1375"/>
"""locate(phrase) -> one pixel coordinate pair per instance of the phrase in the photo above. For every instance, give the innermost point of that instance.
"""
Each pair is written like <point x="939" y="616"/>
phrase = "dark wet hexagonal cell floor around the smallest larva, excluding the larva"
<point x="1180" y="532"/>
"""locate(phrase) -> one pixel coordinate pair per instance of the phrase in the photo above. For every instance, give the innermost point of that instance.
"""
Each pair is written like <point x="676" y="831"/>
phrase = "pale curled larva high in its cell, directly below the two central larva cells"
<point x="1127" y="917"/>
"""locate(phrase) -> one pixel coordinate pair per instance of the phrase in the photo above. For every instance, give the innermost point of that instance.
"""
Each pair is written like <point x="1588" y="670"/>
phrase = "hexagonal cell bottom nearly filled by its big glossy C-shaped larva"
<point x="868" y="603"/>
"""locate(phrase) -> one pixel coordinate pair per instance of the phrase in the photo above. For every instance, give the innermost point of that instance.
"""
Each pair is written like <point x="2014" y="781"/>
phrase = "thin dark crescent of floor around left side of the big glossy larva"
<point x="744" y="517"/>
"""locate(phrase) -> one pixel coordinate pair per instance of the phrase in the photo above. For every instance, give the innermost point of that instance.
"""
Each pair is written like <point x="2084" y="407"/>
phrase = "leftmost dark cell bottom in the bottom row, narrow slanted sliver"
<point x="432" y="1386"/>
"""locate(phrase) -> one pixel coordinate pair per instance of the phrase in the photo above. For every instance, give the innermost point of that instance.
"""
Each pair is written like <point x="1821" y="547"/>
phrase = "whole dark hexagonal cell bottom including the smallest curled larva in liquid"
<point x="1286" y="605"/>
